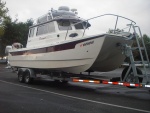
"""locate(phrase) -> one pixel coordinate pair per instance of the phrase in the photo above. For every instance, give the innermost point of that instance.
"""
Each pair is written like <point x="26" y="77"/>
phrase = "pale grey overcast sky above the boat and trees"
<point x="137" y="10"/>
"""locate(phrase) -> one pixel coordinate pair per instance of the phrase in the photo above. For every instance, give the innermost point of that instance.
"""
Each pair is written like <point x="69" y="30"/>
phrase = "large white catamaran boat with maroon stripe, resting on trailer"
<point x="59" y="41"/>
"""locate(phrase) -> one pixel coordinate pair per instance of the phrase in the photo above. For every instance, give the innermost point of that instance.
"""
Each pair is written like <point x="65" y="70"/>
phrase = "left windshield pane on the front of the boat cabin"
<point x="64" y="25"/>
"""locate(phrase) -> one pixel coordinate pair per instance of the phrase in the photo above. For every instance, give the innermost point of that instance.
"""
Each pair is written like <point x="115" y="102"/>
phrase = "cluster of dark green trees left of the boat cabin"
<point x="11" y="31"/>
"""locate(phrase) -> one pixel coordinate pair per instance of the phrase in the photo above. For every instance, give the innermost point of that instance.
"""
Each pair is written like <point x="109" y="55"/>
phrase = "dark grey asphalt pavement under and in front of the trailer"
<point x="44" y="96"/>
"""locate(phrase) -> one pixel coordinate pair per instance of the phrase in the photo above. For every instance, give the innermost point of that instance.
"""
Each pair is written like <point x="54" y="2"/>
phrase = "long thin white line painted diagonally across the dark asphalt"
<point x="92" y="101"/>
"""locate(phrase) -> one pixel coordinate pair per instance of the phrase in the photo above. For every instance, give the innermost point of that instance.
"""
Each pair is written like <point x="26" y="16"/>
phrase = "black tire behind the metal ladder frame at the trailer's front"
<point x="130" y="77"/>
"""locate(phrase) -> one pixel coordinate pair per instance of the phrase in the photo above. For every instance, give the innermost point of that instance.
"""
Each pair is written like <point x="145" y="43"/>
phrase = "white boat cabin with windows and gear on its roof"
<point x="56" y="26"/>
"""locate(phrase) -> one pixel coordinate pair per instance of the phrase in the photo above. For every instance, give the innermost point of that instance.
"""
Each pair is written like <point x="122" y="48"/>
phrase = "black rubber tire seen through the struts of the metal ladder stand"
<point x="124" y="73"/>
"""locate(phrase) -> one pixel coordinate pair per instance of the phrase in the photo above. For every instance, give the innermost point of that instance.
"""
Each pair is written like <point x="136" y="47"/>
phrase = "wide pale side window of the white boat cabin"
<point x="46" y="28"/>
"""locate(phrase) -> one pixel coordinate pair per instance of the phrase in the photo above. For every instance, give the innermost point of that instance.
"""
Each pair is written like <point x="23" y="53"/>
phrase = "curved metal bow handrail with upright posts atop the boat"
<point x="118" y="16"/>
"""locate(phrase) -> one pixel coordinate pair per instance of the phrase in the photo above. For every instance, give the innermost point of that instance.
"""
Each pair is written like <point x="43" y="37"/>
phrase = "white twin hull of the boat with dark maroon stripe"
<point x="89" y="53"/>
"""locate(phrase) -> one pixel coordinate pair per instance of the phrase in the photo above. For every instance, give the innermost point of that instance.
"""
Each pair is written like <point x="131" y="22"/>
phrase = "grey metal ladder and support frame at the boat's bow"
<point x="133" y="74"/>
